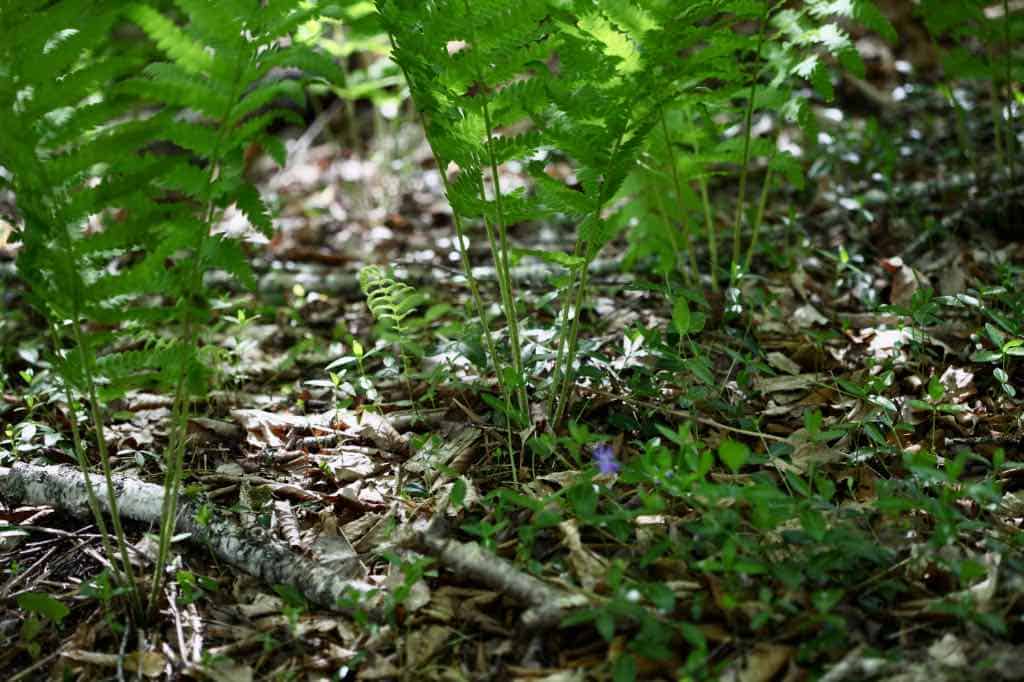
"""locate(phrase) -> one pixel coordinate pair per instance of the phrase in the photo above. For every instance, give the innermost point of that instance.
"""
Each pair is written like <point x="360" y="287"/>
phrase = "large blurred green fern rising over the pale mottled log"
<point x="83" y="121"/>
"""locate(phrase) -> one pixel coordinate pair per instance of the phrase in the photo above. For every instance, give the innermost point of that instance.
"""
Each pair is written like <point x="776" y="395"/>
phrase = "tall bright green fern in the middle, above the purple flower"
<point x="595" y="109"/>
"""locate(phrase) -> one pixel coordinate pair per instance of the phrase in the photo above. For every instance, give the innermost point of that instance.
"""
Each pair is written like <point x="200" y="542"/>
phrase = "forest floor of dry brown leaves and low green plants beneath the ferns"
<point x="821" y="477"/>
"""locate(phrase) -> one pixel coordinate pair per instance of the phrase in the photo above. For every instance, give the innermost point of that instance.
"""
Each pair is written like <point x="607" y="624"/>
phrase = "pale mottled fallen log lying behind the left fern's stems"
<point x="251" y="550"/>
